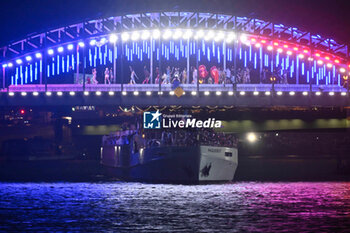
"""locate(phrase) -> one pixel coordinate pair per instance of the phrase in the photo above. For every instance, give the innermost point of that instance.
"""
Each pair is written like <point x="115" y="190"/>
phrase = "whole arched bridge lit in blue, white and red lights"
<point x="218" y="59"/>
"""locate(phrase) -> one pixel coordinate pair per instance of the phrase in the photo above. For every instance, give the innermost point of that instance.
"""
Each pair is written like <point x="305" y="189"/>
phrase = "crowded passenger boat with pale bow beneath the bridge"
<point x="174" y="156"/>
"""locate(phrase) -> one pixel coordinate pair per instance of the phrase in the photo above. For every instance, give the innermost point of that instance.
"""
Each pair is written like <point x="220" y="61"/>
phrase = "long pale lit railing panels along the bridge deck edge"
<point x="170" y="87"/>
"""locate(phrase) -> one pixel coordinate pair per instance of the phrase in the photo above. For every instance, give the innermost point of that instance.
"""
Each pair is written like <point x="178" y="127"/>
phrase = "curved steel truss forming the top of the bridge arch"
<point x="141" y="21"/>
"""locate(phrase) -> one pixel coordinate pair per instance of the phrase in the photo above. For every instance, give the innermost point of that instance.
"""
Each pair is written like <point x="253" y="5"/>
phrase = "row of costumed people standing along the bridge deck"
<point x="200" y="74"/>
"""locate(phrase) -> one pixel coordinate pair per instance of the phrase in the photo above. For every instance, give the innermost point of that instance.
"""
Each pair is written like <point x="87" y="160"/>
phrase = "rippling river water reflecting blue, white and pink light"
<point x="135" y="207"/>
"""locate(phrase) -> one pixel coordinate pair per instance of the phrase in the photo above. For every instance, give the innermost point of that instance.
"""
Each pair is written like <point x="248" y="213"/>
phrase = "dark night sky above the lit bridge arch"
<point x="330" y="18"/>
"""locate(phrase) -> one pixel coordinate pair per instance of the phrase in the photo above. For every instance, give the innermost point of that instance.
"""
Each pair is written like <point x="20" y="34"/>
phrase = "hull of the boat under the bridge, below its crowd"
<point x="176" y="164"/>
